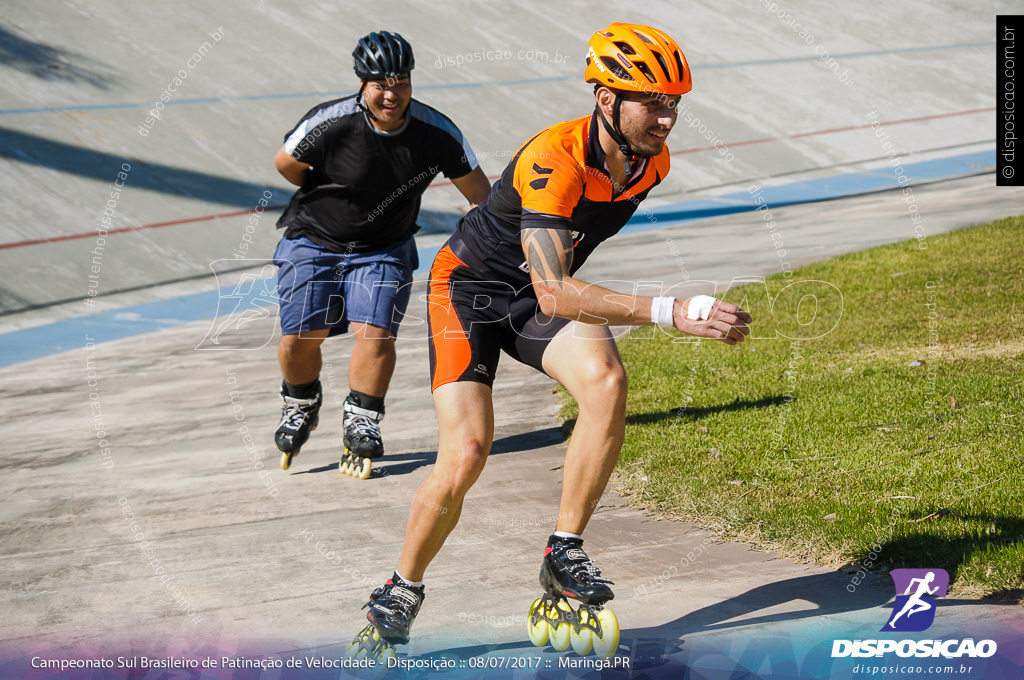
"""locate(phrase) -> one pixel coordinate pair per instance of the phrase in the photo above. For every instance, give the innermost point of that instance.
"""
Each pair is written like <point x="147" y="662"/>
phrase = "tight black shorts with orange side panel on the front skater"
<point x="473" y="320"/>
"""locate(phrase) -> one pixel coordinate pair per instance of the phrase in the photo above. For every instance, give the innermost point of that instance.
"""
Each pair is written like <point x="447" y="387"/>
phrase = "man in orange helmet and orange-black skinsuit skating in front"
<point x="568" y="190"/>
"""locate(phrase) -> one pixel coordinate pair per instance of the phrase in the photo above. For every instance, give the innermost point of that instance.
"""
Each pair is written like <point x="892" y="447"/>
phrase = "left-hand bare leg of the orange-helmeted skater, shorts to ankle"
<point x="466" y="423"/>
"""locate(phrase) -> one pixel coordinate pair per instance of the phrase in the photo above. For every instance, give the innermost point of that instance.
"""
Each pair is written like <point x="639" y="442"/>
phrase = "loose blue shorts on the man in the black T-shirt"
<point x="320" y="289"/>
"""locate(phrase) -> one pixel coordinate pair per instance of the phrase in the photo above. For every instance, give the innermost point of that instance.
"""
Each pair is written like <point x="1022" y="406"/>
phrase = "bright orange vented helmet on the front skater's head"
<point x="637" y="59"/>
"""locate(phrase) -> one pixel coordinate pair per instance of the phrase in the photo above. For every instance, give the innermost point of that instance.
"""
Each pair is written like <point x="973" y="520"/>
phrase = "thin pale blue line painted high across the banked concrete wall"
<point x="502" y="83"/>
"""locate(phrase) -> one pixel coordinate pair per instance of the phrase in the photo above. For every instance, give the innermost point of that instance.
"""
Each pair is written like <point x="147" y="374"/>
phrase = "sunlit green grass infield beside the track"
<point x="837" y="450"/>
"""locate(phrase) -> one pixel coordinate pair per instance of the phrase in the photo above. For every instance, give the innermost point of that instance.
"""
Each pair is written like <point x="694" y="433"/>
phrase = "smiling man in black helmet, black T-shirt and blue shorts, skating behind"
<point x="348" y="258"/>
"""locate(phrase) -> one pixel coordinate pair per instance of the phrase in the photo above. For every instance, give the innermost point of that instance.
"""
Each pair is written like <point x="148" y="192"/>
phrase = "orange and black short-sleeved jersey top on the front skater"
<point x="559" y="181"/>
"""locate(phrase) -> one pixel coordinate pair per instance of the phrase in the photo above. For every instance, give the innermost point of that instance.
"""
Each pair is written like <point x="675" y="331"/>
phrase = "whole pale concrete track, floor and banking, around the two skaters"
<point x="185" y="539"/>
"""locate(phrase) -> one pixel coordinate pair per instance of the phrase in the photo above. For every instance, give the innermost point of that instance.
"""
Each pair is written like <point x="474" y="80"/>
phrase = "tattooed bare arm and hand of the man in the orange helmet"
<point x="549" y="254"/>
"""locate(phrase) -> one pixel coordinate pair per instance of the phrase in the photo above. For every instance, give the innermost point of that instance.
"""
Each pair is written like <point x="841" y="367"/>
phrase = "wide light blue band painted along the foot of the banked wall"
<point x="28" y="345"/>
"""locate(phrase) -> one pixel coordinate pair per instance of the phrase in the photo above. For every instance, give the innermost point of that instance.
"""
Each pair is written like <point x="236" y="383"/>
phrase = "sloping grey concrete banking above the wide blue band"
<point x="136" y="147"/>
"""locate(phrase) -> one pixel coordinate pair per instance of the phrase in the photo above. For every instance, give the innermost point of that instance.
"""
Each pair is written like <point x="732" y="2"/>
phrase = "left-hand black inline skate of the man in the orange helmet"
<point x="393" y="609"/>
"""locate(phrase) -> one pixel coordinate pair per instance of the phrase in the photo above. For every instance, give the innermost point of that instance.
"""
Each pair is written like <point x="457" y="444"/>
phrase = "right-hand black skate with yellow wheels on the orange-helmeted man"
<point x="569" y="574"/>
